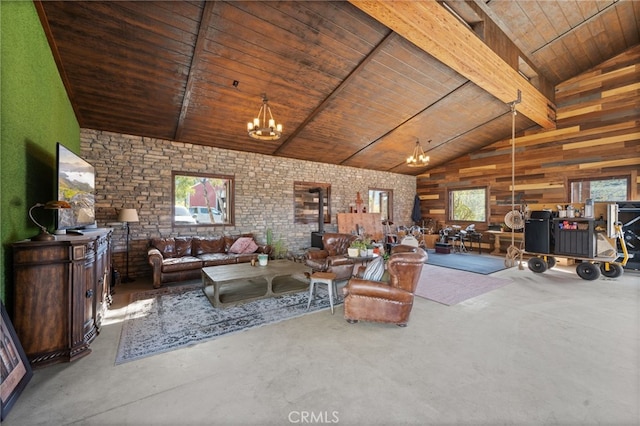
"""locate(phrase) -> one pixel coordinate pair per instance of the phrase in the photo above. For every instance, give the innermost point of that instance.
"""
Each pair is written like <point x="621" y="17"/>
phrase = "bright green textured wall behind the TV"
<point x="35" y="113"/>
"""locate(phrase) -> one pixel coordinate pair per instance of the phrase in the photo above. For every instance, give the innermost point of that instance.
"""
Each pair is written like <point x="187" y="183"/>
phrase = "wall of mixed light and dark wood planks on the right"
<point x="597" y="135"/>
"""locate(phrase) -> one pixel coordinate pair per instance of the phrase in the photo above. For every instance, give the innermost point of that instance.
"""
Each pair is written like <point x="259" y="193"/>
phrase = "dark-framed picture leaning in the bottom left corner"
<point x="15" y="370"/>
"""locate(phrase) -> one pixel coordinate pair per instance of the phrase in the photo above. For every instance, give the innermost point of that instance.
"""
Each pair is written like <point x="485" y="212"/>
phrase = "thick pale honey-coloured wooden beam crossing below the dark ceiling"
<point x="436" y="31"/>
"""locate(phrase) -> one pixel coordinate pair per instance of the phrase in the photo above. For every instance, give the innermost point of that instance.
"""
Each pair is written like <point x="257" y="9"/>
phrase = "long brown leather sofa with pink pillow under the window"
<point x="182" y="258"/>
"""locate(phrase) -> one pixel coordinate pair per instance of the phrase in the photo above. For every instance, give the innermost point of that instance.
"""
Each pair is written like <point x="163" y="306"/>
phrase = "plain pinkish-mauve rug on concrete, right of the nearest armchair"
<point x="450" y="286"/>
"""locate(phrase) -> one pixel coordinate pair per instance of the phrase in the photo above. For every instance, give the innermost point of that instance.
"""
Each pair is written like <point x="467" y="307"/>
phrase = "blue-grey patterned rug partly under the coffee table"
<point x="170" y="318"/>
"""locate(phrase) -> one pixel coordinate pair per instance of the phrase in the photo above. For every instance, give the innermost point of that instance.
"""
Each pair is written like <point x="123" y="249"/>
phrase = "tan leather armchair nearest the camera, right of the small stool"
<point x="386" y="302"/>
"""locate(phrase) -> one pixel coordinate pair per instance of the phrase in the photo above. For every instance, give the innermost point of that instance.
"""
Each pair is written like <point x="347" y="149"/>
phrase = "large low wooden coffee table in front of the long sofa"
<point x="228" y="285"/>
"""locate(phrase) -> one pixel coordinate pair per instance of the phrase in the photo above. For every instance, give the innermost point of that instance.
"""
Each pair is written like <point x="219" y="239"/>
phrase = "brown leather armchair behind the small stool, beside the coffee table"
<point x="332" y="258"/>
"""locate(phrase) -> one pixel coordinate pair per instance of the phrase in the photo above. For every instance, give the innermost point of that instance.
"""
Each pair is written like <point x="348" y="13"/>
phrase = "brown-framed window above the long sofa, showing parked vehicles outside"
<point x="202" y="199"/>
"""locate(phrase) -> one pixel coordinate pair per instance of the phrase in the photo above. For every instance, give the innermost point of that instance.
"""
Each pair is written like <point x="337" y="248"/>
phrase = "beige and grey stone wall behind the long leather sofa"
<point x="135" y="172"/>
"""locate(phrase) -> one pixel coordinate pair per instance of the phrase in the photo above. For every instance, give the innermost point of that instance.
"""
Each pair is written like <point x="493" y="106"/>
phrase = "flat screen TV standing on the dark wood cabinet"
<point x="76" y="185"/>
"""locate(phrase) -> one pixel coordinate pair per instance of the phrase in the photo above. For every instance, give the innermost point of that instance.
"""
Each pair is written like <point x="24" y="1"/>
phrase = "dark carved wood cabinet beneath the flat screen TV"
<point x="61" y="294"/>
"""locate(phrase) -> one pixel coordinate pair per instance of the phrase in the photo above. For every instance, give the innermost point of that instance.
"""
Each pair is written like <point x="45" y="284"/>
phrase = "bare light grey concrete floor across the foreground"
<point x="548" y="349"/>
